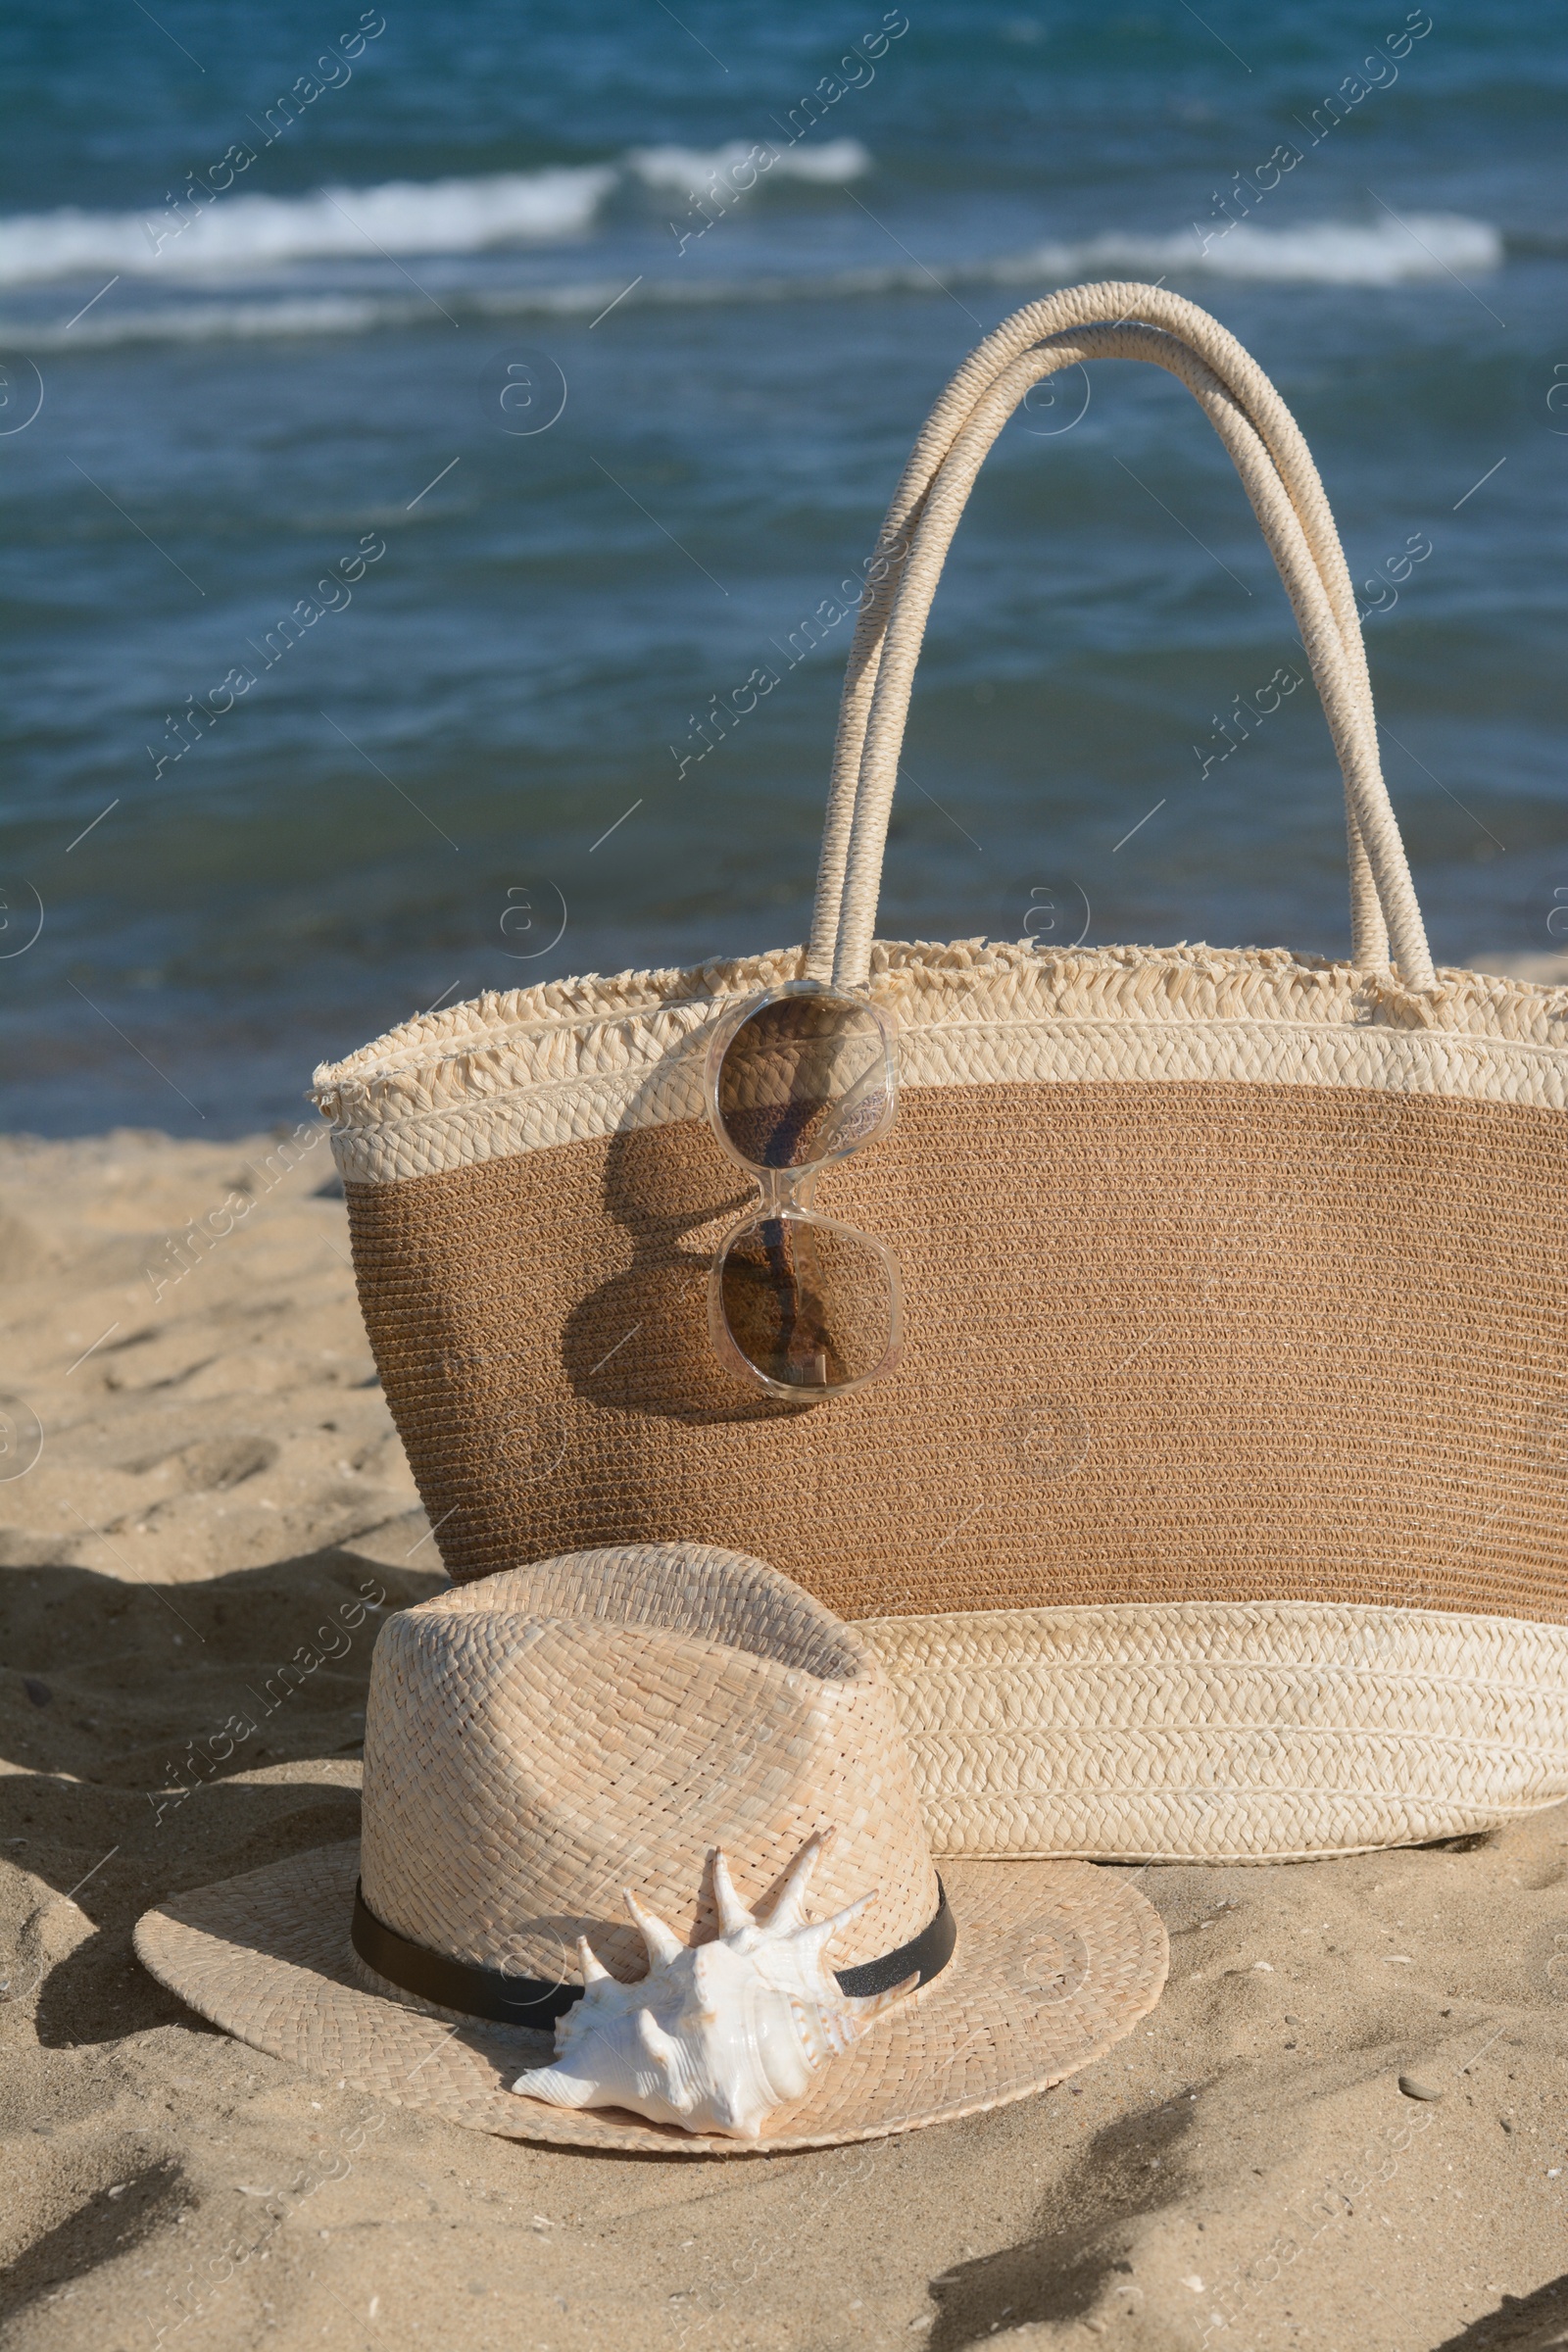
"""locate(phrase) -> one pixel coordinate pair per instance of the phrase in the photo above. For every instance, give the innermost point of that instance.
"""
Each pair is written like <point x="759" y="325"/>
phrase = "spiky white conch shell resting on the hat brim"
<point x="721" y="2033"/>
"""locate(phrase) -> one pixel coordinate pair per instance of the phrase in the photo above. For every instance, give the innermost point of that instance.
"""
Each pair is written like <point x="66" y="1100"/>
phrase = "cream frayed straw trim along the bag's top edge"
<point x="572" y="1060"/>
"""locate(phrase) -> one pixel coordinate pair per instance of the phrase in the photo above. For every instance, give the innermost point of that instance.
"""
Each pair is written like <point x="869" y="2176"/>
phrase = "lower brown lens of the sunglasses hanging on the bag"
<point x="812" y="1307"/>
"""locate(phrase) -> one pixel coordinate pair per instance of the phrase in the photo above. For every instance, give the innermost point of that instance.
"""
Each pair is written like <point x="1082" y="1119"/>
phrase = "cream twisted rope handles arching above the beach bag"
<point x="1299" y="528"/>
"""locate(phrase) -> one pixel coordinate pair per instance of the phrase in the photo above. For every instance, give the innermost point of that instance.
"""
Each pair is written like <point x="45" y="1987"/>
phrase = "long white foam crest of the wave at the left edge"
<point x="241" y="232"/>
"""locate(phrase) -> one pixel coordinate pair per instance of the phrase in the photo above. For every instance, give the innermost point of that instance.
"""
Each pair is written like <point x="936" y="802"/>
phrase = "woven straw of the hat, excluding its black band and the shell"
<point x="544" y="1739"/>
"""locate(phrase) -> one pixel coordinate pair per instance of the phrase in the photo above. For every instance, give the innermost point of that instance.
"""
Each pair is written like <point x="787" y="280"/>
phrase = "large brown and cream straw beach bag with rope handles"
<point x="1217" y="1506"/>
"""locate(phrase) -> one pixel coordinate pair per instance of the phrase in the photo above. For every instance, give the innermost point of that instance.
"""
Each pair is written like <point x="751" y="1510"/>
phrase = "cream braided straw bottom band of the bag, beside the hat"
<point x="1224" y="1732"/>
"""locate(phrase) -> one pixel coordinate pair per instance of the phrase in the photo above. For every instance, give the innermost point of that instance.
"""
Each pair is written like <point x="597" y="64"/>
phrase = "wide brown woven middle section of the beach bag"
<point x="1165" y="1342"/>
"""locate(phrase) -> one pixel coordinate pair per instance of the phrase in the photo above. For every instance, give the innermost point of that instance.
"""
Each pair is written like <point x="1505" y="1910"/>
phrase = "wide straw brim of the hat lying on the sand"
<point x="1054" y="1965"/>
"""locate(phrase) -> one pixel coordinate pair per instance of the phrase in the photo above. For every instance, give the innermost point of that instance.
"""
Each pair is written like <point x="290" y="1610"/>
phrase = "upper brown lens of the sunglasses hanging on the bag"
<point x="805" y="1081"/>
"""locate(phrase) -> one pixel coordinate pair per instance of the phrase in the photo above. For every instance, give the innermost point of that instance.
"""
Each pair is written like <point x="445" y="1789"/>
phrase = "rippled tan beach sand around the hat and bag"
<point x="220" y="1492"/>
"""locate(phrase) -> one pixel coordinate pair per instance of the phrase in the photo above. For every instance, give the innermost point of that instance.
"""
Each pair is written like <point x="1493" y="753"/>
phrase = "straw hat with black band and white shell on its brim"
<point x="688" y="1728"/>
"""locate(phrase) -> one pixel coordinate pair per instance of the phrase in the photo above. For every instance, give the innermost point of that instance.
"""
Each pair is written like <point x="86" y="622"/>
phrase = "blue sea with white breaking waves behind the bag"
<point x="424" y="432"/>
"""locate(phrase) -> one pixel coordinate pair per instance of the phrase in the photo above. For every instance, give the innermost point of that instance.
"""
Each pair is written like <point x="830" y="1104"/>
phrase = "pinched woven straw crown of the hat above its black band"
<point x="549" y="1737"/>
